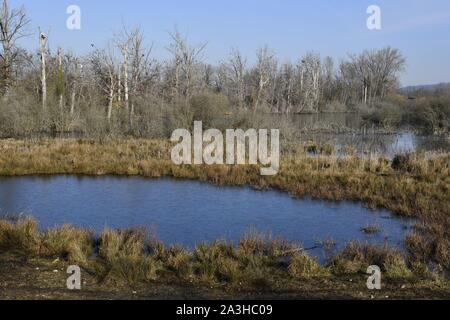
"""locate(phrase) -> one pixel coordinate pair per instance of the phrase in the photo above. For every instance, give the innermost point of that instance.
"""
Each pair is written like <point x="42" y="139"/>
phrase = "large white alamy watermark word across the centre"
<point x="212" y="148"/>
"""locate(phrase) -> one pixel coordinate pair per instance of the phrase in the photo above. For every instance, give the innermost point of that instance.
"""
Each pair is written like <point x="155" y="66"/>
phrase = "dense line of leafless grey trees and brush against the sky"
<point x="122" y="90"/>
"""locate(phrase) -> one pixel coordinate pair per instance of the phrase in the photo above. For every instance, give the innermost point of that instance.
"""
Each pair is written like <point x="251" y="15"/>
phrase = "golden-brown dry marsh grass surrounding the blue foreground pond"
<point x="413" y="186"/>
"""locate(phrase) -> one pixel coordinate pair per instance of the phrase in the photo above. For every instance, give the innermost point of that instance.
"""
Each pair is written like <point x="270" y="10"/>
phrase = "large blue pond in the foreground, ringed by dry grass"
<point x="188" y="212"/>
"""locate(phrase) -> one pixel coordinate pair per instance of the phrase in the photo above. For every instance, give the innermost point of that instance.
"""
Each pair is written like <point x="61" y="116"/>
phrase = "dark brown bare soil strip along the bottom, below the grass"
<point x="46" y="280"/>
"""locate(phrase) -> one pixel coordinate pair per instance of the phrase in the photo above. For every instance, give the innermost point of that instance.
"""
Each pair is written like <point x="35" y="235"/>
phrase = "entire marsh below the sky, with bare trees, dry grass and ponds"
<point x="86" y="176"/>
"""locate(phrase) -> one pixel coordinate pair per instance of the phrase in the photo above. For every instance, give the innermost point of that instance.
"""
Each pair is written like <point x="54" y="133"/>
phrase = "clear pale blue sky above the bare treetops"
<point x="419" y="28"/>
